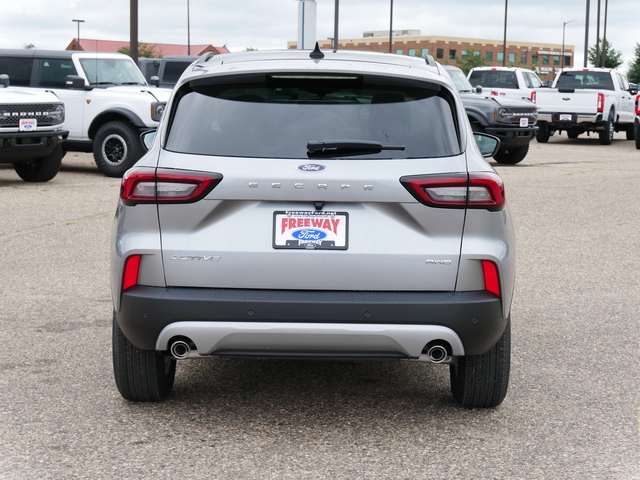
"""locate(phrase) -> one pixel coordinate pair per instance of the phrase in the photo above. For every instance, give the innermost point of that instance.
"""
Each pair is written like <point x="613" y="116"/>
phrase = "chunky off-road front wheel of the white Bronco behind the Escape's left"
<point x="116" y="147"/>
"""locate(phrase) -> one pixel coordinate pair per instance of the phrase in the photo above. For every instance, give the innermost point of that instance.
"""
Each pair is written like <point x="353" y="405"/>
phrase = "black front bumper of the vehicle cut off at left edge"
<point x="16" y="147"/>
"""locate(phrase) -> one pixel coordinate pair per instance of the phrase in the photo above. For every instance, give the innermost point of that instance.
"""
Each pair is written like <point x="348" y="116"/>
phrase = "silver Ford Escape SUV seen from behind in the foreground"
<point x="314" y="205"/>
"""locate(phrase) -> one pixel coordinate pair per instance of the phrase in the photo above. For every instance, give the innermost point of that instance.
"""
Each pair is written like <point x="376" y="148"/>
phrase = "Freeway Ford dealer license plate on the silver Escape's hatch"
<point x="310" y="230"/>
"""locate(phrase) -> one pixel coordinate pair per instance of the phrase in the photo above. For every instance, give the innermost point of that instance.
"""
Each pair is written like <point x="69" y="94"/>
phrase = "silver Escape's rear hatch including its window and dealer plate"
<point x="310" y="193"/>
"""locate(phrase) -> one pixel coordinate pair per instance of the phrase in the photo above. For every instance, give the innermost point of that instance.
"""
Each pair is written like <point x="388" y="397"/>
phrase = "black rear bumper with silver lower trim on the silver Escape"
<point x="260" y="320"/>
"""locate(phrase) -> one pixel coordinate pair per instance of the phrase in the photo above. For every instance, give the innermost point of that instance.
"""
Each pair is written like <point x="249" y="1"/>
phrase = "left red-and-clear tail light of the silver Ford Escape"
<point x="140" y="185"/>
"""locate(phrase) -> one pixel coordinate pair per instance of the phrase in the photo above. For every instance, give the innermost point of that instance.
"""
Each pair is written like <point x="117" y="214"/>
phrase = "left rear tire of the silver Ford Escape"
<point x="141" y="375"/>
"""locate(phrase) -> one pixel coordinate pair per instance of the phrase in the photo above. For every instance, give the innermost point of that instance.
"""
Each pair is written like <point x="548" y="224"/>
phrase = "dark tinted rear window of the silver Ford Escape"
<point x="276" y="116"/>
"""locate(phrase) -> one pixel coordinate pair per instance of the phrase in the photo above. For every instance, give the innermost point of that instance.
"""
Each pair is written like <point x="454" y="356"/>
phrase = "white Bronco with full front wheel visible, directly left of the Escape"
<point x="108" y="102"/>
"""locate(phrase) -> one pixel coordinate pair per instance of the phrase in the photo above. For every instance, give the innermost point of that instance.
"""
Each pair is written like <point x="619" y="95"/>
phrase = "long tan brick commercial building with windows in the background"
<point x="545" y="58"/>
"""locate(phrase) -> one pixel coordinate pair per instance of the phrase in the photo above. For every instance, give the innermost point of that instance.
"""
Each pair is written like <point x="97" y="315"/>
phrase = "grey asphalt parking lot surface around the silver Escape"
<point x="572" y="411"/>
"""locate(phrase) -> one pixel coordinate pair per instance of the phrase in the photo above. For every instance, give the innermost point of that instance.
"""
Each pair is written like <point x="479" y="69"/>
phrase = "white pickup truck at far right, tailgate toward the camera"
<point x="587" y="100"/>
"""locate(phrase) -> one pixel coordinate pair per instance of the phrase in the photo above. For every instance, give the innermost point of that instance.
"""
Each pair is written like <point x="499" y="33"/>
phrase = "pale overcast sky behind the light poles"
<point x="269" y="24"/>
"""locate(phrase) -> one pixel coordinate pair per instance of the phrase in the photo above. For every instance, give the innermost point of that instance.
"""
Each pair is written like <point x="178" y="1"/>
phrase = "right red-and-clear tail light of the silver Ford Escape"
<point x="457" y="190"/>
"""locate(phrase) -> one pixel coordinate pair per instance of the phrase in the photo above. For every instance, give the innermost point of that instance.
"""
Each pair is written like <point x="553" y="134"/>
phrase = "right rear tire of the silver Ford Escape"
<point x="481" y="381"/>
